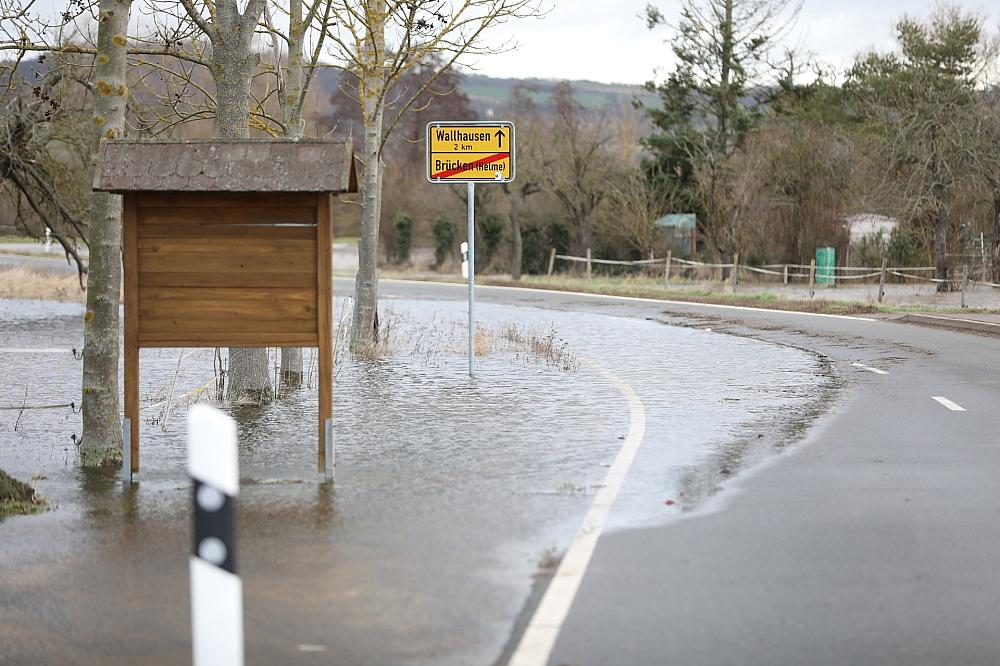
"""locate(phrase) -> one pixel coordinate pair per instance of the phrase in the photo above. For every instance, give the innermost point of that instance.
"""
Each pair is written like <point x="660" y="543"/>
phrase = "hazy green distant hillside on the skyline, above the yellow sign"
<point x="486" y="92"/>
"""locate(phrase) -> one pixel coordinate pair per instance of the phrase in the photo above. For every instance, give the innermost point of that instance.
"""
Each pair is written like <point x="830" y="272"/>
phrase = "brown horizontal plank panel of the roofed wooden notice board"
<point x="227" y="270"/>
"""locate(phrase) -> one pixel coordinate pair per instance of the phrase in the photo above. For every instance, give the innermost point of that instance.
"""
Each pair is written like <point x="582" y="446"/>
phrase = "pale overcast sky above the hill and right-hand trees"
<point x="605" y="40"/>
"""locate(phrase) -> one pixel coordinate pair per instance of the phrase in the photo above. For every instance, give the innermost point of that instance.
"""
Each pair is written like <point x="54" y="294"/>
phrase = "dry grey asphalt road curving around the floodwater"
<point x="875" y="540"/>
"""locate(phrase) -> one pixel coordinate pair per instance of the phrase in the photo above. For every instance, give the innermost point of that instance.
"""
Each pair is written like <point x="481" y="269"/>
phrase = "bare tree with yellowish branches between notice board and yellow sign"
<point x="377" y="42"/>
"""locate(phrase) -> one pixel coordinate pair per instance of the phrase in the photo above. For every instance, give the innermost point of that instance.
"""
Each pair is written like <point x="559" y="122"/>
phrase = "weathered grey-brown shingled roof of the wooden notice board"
<point x="226" y="166"/>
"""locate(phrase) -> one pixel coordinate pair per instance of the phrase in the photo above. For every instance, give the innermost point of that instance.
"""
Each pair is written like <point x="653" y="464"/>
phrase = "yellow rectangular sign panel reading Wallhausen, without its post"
<point x="470" y="152"/>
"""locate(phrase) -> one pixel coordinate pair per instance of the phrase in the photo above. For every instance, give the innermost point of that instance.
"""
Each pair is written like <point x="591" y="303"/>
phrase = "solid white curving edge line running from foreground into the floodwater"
<point x="538" y="639"/>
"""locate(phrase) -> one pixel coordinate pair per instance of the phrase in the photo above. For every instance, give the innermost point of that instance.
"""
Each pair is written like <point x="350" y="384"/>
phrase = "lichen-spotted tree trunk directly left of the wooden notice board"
<point x="102" y="434"/>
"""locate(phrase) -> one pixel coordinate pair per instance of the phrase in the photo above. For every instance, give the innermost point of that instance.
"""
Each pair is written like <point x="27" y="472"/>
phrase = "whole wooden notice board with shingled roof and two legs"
<point x="227" y="244"/>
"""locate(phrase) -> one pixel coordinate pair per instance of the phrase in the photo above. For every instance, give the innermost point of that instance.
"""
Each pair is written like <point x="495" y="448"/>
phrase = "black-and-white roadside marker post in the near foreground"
<point x="216" y="590"/>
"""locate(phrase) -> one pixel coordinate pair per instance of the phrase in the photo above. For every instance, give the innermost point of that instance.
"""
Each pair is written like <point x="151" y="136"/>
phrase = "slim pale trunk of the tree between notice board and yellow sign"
<point x="363" y="328"/>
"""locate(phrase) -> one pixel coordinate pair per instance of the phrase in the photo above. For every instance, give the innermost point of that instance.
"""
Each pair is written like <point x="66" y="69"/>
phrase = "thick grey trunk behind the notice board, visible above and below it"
<point x="233" y="65"/>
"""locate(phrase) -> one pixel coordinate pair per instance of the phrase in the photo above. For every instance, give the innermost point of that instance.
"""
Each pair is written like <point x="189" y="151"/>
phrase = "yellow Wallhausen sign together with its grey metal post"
<point x="470" y="152"/>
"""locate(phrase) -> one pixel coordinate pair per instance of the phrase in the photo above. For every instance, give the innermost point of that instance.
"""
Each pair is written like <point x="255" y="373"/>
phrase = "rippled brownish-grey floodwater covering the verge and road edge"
<point x="449" y="491"/>
